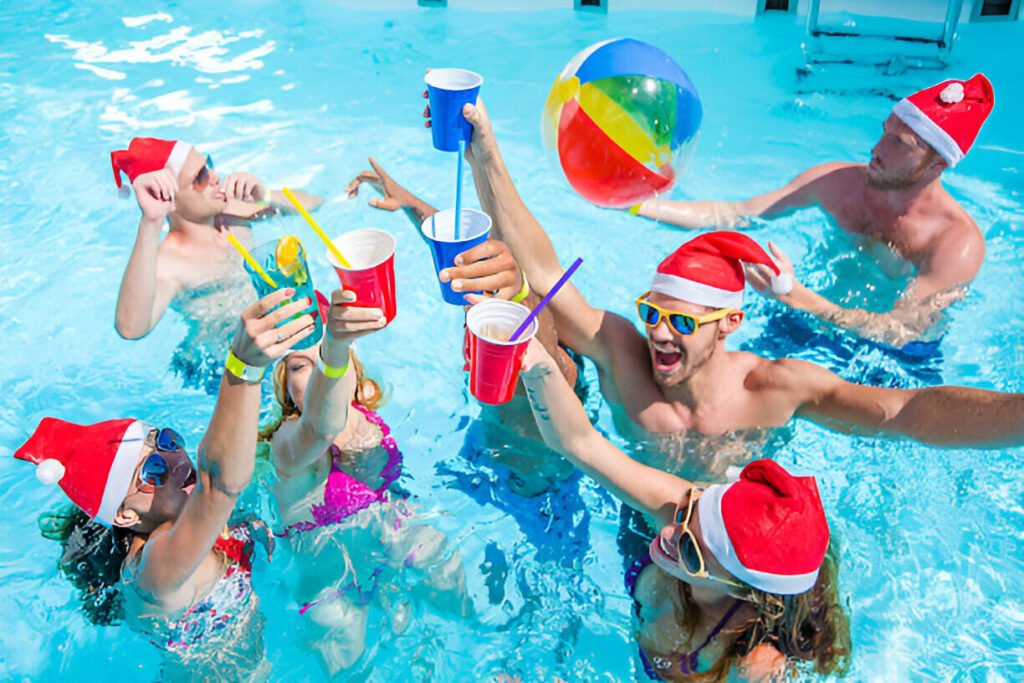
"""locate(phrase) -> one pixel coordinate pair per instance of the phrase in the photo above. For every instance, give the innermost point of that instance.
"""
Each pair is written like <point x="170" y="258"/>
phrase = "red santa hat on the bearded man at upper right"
<point x="950" y="115"/>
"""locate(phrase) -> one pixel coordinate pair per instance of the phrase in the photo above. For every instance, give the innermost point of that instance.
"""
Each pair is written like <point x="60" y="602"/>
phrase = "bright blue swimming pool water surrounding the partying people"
<point x="933" y="553"/>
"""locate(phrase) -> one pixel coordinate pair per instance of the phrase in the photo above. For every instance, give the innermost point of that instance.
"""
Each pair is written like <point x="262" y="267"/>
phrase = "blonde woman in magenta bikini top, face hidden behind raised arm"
<point x="350" y="527"/>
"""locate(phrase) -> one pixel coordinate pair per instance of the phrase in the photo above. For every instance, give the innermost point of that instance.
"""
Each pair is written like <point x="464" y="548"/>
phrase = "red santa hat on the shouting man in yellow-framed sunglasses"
<point x="709" y="271"/>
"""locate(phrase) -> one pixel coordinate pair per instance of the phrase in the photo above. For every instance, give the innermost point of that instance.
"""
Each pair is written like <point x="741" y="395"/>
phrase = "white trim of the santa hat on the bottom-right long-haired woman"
<point x="717" y="540"/>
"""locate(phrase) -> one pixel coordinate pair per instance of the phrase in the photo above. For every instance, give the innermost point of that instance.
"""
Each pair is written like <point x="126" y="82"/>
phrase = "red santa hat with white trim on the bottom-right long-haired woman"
<point x="769" y="528"/>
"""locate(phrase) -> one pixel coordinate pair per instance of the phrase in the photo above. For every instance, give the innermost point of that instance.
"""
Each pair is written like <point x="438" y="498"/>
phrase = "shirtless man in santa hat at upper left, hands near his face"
<point x="175" y="183"/>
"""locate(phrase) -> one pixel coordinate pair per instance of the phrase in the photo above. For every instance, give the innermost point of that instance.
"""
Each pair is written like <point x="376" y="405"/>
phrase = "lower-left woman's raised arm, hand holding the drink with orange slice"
<point x="227" y="456"/>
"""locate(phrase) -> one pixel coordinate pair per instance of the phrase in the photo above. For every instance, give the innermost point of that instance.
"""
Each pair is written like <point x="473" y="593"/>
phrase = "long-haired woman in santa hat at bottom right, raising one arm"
<point x="742" y="575"/>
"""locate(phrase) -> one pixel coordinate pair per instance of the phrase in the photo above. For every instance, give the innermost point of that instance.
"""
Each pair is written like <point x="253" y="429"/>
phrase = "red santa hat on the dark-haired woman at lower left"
<point x="95" y="464"/>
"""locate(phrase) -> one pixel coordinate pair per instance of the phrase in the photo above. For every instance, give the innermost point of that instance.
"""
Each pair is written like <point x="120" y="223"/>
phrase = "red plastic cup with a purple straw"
<point x="494" y="364"/>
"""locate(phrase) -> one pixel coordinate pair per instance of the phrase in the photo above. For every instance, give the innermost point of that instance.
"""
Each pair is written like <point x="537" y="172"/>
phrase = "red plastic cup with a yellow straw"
<point x="371" y="253"/>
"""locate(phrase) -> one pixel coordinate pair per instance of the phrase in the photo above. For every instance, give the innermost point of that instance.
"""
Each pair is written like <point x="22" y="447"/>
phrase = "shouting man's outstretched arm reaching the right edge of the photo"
<point x="944" y="416"/>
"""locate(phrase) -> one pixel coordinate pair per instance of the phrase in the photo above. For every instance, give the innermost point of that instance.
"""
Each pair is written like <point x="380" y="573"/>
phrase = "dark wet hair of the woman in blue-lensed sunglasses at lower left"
<point x="92" y="561"/>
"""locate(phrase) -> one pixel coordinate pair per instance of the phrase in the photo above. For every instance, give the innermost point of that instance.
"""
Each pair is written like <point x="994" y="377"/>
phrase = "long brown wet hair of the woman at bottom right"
<point x="812" y="627"/>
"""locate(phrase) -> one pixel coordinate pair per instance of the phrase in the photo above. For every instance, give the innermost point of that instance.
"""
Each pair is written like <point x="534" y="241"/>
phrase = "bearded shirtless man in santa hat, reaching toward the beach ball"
<point x="897" y="202"/>
